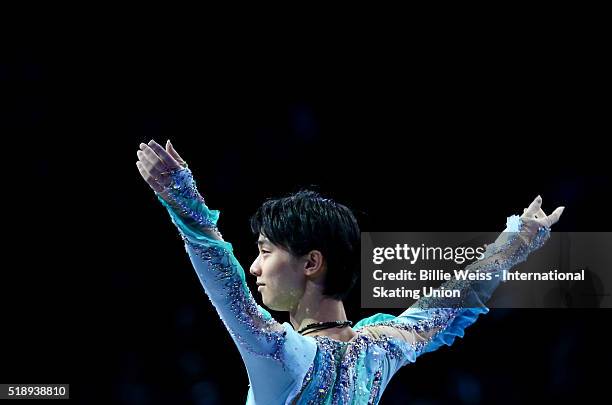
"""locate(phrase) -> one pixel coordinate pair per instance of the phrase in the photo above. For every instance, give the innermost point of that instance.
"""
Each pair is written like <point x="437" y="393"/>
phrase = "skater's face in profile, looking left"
<point x="281" y="275"/>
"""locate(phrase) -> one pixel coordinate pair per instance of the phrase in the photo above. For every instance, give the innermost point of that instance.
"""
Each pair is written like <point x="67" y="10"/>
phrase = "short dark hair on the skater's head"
<point x="306" y="221"/>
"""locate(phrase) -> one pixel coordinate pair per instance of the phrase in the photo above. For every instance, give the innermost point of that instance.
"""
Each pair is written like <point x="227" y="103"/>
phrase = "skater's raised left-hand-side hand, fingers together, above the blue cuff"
<point x="155" y="163"/>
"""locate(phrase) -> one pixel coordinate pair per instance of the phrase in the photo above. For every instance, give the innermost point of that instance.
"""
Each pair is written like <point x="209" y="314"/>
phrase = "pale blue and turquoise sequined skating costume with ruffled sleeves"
<point x="285" y="367"/>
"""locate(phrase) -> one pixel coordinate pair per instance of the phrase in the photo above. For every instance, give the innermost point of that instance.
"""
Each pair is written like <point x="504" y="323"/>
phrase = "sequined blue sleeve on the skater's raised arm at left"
<point x="271" y="351"/>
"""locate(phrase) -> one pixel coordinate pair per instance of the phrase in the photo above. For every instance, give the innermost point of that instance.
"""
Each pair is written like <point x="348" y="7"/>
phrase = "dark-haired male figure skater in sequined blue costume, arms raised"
<point x="308" y="261"/>
